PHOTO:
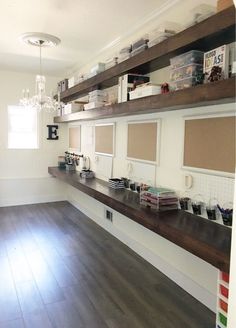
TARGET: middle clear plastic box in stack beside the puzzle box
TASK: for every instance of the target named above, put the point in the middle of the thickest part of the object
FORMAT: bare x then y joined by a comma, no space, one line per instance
186,72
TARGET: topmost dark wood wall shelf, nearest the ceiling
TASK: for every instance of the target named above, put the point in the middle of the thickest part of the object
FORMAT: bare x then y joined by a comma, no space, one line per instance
214,31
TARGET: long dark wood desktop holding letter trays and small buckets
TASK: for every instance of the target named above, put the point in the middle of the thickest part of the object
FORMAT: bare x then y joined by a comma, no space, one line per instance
201,237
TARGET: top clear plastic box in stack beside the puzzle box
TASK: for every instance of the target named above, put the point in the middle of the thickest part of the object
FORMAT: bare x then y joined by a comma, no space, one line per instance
188,58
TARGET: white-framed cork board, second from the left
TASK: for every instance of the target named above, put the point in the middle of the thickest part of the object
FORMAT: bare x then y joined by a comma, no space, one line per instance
104,136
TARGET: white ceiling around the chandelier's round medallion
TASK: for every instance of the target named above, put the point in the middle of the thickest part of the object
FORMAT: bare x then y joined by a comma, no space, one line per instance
84,27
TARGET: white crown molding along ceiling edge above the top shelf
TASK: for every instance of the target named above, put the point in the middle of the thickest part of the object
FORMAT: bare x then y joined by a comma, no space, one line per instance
146,20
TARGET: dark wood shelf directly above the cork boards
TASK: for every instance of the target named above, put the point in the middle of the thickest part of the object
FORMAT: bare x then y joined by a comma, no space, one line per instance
201,95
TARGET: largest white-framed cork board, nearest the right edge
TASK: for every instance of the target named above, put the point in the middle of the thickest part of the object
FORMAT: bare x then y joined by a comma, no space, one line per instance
209,143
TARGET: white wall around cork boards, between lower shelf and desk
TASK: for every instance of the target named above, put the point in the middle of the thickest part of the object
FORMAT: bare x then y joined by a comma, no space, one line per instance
168,172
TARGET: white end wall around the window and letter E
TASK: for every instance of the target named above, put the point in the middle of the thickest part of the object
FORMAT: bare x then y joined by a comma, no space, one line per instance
23,173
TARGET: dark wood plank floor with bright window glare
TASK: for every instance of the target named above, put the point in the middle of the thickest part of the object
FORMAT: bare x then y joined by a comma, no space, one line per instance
58,269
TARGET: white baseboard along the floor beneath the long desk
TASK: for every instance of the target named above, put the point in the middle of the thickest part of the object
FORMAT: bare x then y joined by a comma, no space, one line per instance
190,286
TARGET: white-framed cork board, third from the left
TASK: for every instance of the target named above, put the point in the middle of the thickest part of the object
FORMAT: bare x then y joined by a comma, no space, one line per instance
142,141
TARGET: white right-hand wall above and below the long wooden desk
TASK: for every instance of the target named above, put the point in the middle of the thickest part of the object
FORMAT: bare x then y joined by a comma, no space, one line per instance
191,273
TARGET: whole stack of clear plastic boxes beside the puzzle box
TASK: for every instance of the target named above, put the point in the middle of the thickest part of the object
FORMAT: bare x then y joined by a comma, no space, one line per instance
186,69
